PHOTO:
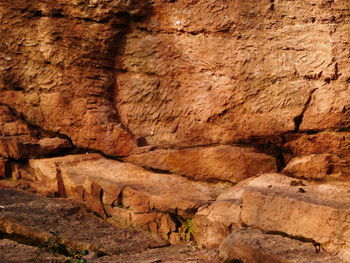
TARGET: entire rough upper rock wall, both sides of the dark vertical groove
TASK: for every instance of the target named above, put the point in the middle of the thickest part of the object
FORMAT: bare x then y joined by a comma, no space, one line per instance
113,74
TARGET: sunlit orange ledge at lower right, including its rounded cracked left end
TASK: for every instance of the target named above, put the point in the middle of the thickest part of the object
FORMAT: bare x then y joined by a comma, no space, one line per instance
276,203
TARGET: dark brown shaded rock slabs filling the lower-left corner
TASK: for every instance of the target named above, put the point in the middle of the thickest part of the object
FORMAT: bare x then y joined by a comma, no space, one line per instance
68,226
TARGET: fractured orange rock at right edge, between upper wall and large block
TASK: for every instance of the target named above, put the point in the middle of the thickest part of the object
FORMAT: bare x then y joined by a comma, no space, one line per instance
324,156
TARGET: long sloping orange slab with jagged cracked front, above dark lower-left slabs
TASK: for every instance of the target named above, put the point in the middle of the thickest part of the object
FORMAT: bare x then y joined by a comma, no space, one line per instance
162,203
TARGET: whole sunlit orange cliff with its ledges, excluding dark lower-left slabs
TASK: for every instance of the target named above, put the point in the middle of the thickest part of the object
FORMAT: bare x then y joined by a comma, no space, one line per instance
225,123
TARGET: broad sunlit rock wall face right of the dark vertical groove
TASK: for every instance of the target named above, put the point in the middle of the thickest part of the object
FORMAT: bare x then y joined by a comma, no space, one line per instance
204,72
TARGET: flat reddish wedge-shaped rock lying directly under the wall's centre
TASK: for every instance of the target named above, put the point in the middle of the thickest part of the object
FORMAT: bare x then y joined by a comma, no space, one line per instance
226,163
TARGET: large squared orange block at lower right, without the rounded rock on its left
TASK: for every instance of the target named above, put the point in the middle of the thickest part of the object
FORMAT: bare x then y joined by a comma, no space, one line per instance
315,211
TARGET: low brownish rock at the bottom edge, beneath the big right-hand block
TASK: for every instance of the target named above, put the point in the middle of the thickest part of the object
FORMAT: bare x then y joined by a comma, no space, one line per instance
253,246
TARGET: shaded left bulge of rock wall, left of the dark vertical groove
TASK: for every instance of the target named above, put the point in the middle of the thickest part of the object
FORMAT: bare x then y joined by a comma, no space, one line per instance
57,67
